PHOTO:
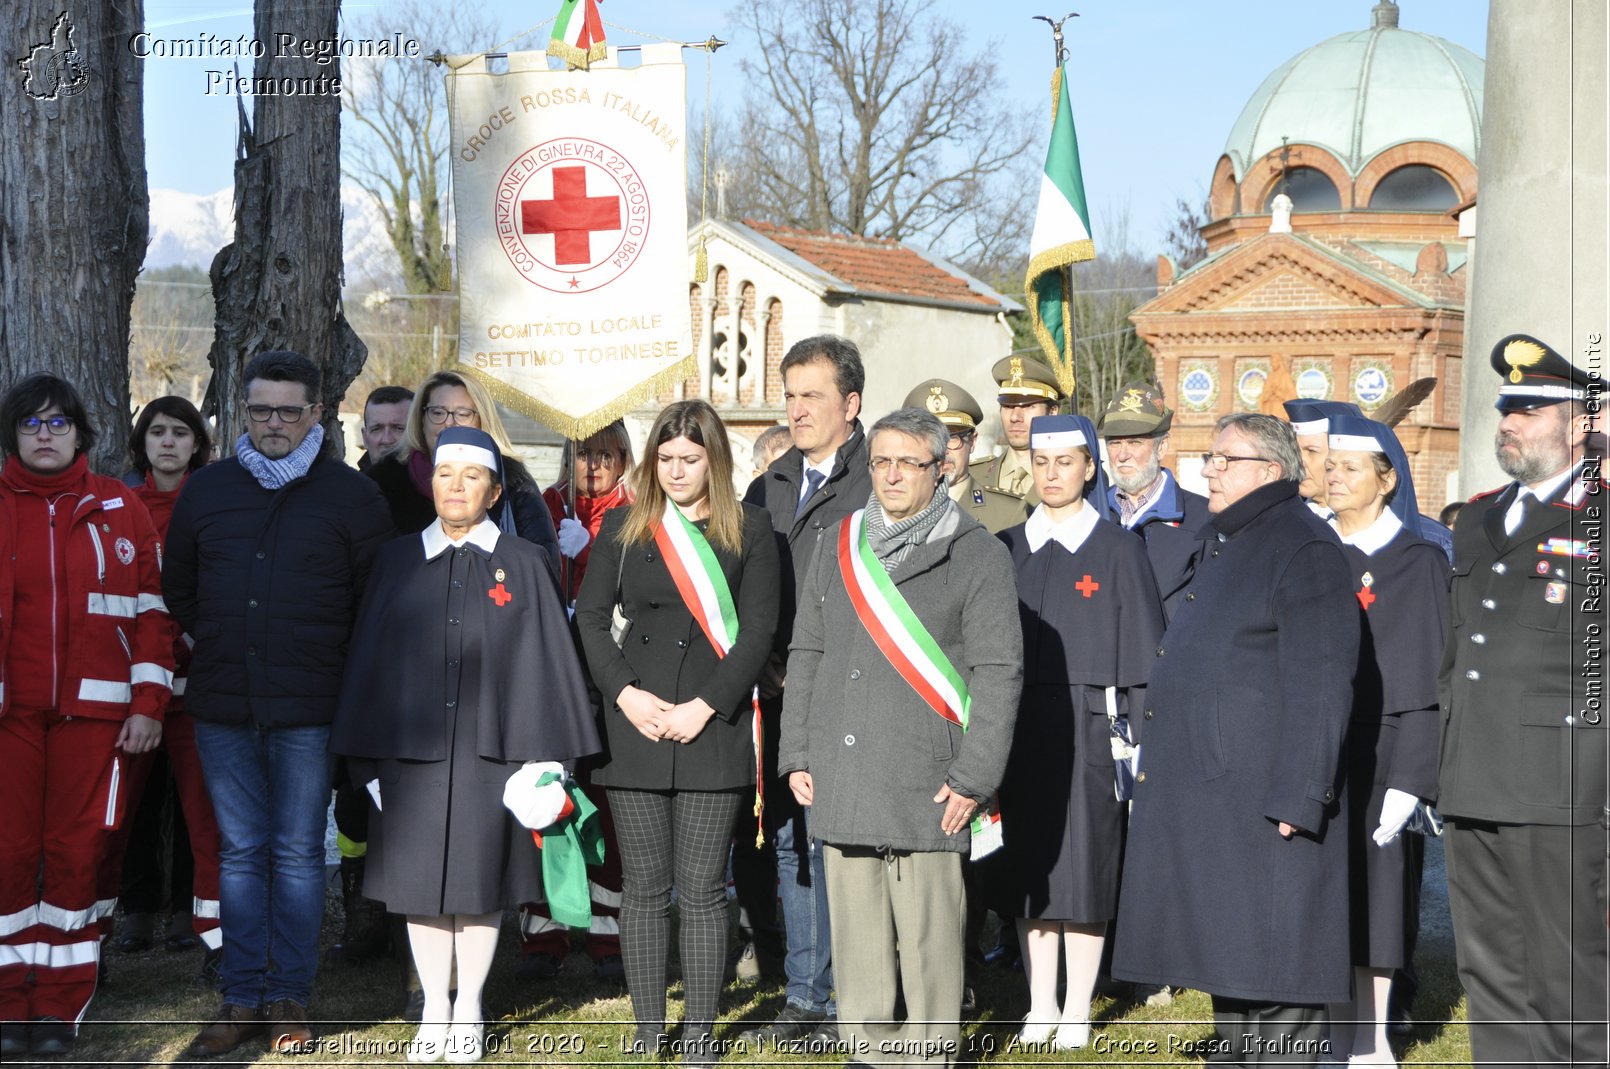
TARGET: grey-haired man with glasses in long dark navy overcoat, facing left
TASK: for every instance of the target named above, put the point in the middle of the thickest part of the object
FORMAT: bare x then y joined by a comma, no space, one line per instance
1236,878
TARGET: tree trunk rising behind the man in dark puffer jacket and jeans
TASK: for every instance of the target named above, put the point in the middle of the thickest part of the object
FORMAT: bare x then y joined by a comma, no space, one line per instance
279,284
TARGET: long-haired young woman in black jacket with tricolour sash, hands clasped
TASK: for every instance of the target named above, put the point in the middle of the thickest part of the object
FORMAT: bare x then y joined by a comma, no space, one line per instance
696,576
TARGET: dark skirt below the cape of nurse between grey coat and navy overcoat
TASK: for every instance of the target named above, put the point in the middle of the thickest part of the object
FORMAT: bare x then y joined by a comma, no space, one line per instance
1062,823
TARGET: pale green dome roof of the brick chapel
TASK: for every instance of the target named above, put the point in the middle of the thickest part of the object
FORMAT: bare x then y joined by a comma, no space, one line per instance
1358,94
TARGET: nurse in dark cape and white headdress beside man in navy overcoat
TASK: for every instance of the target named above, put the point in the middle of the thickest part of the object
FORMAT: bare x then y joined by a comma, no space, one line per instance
1091,622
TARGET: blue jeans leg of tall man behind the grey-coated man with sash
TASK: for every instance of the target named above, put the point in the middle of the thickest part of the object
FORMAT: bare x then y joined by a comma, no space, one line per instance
804,891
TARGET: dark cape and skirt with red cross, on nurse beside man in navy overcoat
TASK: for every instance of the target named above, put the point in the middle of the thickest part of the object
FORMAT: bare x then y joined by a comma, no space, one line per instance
1091,621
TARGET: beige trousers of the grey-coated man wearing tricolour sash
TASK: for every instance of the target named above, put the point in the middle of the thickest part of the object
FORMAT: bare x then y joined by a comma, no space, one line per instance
898,922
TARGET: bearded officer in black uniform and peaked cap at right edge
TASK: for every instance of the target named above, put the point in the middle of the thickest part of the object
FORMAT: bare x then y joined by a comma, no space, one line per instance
1524,733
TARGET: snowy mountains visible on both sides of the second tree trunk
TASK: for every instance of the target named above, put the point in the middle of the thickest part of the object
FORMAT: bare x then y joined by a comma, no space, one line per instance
189,229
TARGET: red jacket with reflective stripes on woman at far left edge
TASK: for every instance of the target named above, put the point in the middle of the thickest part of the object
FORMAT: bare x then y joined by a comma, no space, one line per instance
117,642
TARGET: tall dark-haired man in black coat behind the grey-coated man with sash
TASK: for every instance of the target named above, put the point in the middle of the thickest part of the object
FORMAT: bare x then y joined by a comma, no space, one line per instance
809,490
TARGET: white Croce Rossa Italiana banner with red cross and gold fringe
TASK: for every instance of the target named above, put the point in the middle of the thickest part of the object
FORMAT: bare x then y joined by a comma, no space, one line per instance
572,233
